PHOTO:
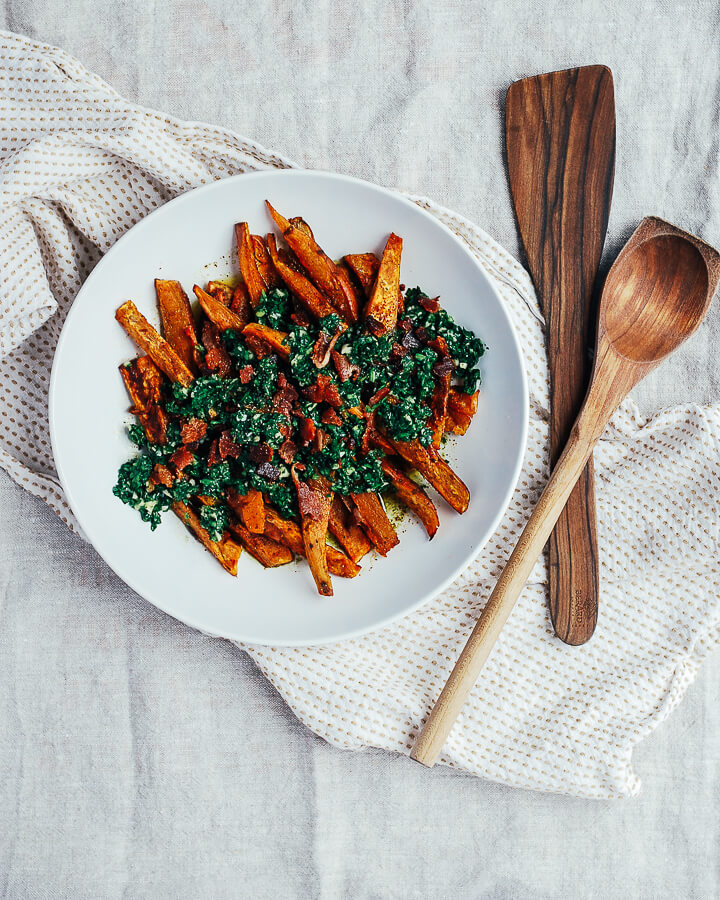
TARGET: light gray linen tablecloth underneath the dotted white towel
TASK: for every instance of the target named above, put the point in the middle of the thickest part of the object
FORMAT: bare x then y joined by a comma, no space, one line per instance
215,790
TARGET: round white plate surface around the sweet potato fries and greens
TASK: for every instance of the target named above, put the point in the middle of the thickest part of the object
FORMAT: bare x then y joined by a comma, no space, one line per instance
191,239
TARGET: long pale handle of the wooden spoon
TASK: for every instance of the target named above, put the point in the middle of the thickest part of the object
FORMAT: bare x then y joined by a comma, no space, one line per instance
517,571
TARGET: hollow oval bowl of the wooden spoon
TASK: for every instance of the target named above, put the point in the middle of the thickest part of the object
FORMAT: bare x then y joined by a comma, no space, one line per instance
655,297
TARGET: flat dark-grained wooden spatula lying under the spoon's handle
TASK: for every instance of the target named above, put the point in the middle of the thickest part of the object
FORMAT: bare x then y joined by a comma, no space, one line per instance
560,135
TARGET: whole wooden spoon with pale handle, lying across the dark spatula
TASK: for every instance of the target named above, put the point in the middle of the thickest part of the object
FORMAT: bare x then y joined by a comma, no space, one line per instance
655,296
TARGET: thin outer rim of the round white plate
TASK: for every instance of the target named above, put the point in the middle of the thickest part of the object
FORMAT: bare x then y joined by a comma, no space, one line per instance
512,484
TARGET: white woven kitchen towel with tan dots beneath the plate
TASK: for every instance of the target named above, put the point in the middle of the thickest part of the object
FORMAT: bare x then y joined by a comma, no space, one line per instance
78,166
